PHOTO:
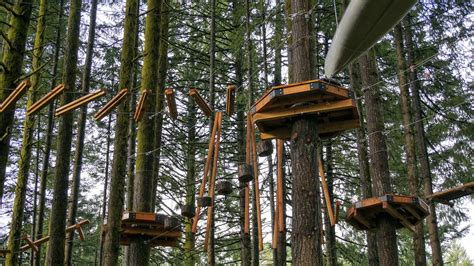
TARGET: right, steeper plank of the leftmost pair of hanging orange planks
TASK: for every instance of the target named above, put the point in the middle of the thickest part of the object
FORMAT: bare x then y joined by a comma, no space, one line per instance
212,181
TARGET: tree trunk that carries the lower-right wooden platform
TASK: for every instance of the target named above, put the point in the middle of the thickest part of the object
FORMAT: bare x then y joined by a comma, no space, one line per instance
386,234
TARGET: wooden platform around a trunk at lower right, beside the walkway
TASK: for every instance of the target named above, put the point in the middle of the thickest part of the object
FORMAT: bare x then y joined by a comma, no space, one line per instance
406,211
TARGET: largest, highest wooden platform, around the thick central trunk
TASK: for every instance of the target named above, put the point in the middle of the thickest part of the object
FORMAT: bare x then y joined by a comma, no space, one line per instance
332,106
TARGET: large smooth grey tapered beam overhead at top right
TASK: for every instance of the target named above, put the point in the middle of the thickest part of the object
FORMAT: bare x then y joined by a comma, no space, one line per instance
361,26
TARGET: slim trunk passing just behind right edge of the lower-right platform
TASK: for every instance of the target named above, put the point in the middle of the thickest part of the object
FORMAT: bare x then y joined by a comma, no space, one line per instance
418,235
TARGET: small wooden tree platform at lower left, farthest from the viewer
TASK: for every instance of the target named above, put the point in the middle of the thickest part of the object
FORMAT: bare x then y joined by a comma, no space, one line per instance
148,227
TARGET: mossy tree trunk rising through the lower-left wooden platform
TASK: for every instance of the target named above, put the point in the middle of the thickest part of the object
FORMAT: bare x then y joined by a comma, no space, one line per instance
143,185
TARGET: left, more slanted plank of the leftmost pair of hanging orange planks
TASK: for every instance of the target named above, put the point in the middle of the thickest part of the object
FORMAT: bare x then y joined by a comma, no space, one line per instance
202,189
